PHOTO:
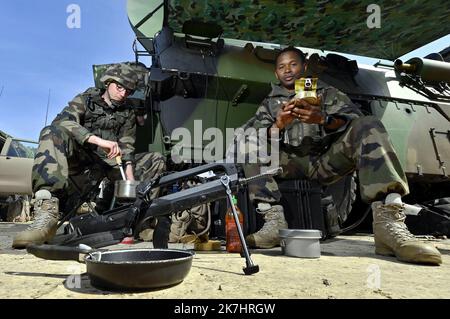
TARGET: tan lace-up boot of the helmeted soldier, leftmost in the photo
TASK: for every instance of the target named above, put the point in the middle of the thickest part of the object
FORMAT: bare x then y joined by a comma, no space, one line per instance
45,223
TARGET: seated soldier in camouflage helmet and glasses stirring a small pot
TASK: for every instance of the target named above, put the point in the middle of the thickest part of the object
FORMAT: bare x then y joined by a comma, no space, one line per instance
87,136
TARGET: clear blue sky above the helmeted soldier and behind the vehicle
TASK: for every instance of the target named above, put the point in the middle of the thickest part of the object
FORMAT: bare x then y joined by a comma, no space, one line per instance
39,52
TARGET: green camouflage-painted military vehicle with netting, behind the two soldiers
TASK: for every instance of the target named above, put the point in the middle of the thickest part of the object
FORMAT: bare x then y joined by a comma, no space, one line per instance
213,61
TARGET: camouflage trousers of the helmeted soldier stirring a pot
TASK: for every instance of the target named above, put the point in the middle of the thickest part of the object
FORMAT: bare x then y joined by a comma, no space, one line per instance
60,161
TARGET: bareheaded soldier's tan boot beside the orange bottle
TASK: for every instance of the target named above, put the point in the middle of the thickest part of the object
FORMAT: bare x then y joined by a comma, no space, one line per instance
267,236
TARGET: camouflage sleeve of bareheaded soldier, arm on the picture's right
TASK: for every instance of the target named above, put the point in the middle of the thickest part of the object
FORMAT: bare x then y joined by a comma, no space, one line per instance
338,104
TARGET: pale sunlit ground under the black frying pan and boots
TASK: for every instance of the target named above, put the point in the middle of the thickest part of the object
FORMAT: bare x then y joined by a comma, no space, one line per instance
347,268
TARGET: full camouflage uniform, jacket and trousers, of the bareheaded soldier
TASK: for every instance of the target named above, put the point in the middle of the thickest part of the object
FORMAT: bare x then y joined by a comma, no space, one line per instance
310,151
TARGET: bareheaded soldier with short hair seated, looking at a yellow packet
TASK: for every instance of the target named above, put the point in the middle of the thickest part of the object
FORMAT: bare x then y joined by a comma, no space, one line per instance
325,142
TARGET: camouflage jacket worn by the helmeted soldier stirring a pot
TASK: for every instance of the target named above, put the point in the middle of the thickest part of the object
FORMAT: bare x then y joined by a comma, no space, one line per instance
88,114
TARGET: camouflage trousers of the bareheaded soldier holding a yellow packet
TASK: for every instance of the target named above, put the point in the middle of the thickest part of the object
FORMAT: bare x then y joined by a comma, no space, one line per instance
363,147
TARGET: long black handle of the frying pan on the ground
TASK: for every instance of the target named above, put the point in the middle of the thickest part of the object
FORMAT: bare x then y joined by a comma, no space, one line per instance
56,252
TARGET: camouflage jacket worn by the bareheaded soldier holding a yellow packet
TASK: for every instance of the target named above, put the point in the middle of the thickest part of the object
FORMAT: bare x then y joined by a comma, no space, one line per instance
304,138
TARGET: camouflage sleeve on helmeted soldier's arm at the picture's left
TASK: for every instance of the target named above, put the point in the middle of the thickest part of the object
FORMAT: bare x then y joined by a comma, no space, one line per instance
71,118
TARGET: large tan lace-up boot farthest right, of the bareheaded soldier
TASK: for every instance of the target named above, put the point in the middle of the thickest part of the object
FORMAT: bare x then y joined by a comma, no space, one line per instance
392,237
